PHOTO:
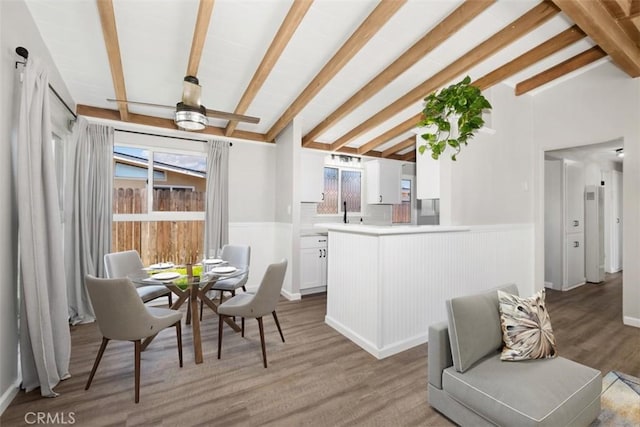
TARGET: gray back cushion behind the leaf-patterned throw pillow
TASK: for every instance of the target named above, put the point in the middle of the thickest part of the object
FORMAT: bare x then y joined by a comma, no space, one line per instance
474,326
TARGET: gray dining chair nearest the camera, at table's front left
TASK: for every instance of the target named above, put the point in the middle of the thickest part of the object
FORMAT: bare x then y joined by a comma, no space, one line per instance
121,315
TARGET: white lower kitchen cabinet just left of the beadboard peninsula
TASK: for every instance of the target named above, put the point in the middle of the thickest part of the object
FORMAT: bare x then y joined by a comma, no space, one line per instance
313,264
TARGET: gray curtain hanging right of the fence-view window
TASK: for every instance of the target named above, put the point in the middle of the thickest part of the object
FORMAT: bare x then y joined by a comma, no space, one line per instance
216,224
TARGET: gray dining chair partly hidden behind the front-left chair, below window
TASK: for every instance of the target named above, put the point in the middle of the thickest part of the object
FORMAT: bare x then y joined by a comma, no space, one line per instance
120,264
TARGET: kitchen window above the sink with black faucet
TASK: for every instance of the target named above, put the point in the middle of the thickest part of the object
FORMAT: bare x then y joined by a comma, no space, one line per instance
341,185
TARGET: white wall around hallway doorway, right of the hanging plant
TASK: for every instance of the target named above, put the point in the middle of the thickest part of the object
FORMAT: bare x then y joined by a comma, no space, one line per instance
500,178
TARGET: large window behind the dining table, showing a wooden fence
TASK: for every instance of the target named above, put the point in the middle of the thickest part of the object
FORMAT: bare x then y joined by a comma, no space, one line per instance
158,203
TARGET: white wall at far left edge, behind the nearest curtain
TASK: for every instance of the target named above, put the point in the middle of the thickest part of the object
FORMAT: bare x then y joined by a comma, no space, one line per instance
17,28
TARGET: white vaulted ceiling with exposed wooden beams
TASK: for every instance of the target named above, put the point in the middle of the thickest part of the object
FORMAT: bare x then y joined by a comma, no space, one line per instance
354,71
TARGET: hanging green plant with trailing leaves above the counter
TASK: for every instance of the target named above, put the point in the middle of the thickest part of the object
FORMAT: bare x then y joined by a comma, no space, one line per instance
452,117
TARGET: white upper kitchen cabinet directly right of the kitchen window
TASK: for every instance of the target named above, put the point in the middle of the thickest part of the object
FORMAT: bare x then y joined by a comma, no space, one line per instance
384,184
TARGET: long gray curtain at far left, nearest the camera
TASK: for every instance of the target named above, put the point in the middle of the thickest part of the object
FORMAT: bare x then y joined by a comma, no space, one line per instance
45,342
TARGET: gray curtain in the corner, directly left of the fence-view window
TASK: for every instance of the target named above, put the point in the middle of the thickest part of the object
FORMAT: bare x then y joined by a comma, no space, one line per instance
89,213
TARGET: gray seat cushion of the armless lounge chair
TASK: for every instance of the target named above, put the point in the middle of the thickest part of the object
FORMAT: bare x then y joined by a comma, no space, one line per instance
545,392
